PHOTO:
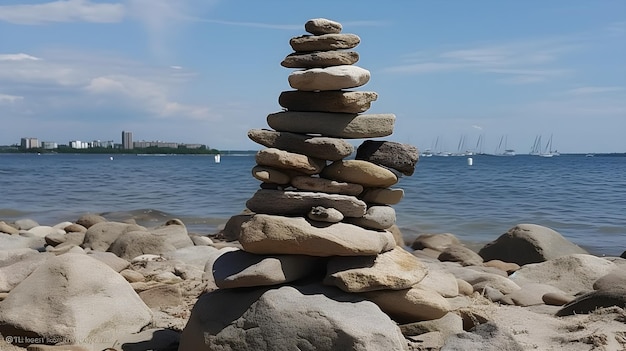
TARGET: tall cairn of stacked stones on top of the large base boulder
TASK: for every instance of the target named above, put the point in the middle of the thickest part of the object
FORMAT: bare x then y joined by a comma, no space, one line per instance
319,215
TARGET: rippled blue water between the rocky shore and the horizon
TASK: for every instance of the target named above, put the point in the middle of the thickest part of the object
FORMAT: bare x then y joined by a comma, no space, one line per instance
583,198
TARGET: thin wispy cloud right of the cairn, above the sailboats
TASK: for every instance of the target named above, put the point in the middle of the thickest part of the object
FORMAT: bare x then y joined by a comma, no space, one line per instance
519,63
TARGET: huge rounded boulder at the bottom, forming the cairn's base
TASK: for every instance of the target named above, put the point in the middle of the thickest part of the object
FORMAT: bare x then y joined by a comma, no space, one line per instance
288,318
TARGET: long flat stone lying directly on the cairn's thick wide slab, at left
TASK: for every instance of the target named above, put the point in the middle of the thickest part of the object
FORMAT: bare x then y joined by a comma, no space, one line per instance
299,203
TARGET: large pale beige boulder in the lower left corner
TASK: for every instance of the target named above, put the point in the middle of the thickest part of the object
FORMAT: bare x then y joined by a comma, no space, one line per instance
73,298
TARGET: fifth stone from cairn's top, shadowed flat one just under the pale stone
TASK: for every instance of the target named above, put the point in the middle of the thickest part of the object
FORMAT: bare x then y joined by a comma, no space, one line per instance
327,101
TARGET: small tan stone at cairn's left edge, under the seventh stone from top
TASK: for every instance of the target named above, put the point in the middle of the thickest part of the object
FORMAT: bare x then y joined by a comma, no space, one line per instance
288,160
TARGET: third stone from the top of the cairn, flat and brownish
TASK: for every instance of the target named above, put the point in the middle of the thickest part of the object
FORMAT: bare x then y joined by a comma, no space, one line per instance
320,59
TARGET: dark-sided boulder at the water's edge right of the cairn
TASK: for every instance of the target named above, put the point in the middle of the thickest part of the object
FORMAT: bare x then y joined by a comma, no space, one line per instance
529,243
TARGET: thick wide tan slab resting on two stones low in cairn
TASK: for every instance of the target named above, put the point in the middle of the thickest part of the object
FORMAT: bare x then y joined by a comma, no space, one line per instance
266,234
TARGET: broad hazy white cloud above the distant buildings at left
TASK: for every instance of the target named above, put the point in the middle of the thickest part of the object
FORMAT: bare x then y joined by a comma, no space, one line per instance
151,90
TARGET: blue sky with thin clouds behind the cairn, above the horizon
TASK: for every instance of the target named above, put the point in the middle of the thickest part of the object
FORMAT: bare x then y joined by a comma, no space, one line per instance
207,71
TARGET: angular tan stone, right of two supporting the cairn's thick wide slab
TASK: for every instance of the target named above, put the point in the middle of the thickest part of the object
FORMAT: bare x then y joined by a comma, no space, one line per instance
396,270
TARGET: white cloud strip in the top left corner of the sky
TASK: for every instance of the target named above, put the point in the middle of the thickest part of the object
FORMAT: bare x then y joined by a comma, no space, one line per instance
62,11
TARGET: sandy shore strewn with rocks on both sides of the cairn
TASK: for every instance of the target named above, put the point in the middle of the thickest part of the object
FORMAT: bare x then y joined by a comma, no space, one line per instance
571,301
